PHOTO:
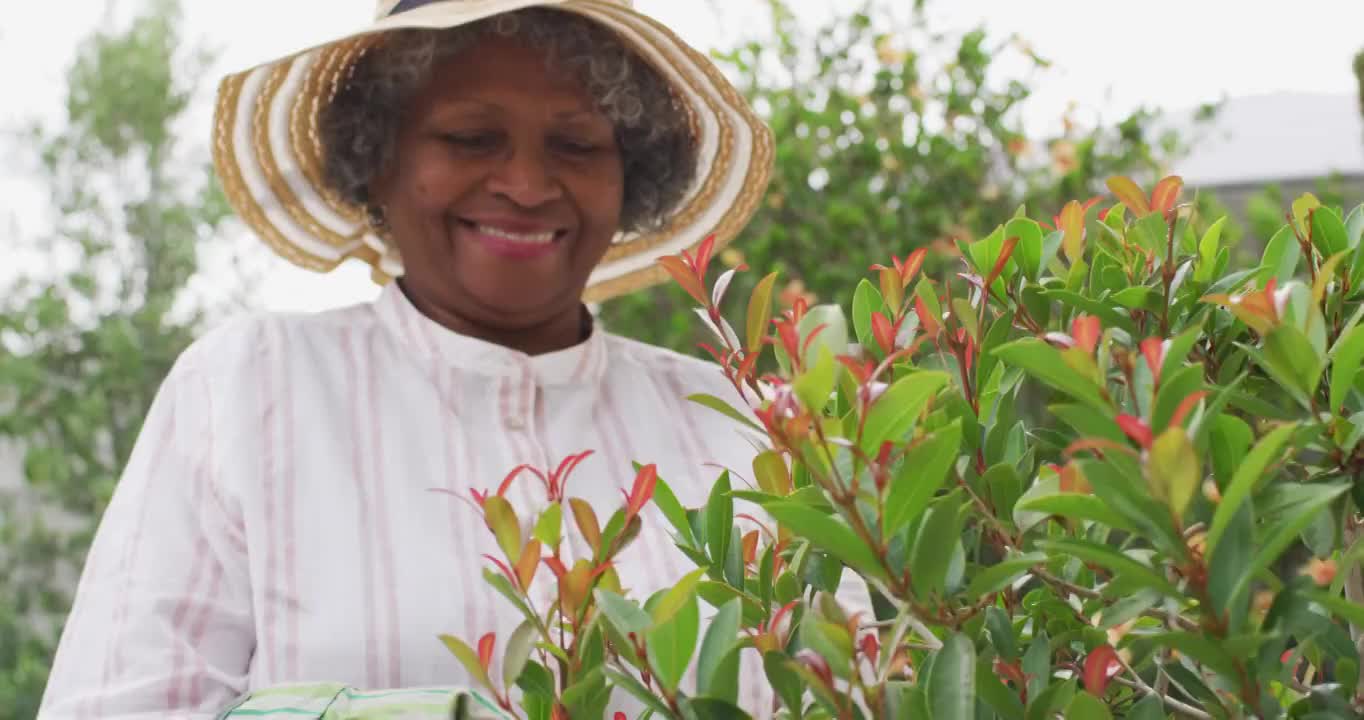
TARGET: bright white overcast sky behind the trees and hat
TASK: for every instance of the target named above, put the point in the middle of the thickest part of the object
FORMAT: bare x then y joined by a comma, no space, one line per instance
1110,57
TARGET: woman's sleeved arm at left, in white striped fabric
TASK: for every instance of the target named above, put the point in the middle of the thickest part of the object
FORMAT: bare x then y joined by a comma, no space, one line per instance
162,622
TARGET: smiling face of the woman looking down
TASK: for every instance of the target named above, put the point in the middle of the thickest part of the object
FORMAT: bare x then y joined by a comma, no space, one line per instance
505,190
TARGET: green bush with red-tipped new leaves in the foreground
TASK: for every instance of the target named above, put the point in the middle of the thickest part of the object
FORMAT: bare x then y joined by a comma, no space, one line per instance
1097,472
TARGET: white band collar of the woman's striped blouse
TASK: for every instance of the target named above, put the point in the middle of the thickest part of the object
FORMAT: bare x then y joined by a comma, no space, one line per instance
424,337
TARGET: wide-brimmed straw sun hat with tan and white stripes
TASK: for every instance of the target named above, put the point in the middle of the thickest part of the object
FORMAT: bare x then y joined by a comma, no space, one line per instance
269,155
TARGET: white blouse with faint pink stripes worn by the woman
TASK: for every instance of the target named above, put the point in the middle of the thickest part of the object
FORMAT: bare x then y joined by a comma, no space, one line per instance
276,522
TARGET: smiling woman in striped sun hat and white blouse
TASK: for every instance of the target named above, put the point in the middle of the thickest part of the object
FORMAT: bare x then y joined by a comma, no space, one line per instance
505,162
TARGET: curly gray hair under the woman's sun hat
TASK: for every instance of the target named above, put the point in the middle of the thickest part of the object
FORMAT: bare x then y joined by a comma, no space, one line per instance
658,148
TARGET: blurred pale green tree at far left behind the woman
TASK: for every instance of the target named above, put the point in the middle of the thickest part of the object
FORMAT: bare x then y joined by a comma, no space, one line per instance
93,317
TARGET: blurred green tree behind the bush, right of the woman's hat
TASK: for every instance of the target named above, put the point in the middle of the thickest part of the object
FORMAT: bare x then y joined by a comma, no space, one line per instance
894,137
